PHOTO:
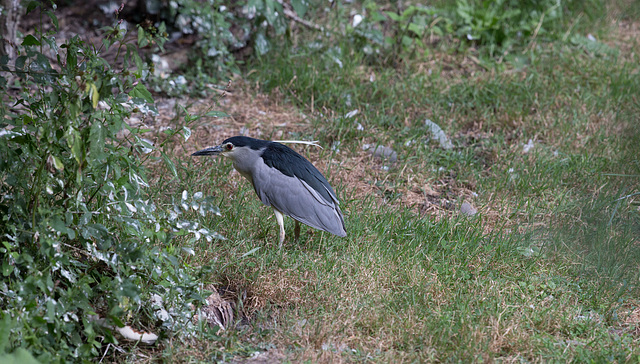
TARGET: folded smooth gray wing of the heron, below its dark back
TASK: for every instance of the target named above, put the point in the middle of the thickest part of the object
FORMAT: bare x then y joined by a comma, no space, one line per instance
295,198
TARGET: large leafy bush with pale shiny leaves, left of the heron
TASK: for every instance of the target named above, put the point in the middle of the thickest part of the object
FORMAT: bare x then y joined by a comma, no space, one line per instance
80,237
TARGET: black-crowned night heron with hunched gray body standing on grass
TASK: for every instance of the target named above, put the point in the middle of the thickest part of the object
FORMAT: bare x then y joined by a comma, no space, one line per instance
286,181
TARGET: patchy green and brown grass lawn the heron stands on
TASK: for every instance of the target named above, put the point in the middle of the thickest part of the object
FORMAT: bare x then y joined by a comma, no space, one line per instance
547,271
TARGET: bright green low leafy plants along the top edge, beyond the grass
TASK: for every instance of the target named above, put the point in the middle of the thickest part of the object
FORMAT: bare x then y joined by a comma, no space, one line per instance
496,26
